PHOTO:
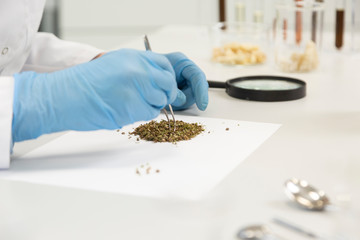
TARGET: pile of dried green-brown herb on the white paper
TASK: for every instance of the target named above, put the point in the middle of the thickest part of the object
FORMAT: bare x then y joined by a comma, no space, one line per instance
160,131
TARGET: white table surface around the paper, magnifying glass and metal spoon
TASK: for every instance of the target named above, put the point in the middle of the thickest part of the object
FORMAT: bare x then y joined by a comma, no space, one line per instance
319,141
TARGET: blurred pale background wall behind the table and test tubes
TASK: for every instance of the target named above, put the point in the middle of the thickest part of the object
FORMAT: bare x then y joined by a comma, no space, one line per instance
108,23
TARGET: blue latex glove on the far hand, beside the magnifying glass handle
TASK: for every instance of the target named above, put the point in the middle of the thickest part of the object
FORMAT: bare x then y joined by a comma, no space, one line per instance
190,80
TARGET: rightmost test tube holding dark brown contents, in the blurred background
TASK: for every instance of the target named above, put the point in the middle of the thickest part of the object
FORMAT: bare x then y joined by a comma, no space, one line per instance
339,23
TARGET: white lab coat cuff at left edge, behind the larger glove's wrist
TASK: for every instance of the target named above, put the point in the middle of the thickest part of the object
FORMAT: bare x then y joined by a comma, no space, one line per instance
6,112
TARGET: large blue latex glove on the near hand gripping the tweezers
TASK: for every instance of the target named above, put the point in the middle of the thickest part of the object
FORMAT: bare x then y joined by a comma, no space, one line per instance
110,92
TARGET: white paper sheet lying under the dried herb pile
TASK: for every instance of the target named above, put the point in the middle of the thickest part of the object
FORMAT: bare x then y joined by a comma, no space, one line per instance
108,160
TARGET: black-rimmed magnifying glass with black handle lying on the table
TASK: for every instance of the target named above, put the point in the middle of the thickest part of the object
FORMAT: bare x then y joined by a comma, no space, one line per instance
263,88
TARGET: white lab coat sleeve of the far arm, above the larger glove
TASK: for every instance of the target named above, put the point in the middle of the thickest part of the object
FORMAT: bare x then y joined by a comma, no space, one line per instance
49,53
